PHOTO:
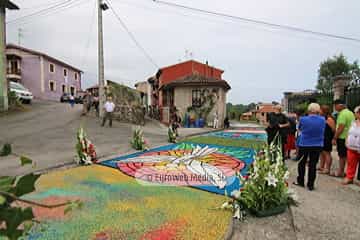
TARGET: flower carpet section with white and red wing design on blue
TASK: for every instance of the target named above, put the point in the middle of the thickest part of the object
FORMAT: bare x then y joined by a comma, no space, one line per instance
208,167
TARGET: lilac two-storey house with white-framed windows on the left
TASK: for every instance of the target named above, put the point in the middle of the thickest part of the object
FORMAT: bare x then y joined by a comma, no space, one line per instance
45,76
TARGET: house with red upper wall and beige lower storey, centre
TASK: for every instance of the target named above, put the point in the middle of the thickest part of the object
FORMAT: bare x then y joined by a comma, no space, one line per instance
191,88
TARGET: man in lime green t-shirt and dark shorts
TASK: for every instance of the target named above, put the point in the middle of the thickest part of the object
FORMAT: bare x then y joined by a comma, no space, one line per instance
343,124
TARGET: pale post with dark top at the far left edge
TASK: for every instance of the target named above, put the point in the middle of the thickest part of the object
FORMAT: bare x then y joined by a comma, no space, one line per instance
4,104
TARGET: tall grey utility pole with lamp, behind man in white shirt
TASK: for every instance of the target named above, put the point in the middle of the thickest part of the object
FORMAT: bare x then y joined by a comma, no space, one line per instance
101,7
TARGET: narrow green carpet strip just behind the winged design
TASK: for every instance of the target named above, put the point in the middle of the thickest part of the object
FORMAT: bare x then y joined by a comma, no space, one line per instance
254,144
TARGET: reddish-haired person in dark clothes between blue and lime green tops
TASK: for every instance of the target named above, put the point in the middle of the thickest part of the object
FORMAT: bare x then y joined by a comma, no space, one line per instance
325,156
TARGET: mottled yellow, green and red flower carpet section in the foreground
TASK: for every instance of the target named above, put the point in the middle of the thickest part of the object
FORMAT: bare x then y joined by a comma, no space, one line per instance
118,207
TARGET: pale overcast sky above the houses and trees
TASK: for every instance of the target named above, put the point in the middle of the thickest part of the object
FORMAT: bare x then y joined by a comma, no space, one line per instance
260,63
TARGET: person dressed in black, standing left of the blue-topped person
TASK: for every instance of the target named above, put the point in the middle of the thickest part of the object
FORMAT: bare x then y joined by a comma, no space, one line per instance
278,124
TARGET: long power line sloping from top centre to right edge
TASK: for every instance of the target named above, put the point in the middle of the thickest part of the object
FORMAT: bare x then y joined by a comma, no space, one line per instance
259,22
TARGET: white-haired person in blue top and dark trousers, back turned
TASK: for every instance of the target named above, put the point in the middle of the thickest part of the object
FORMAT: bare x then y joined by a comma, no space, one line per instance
311,142
